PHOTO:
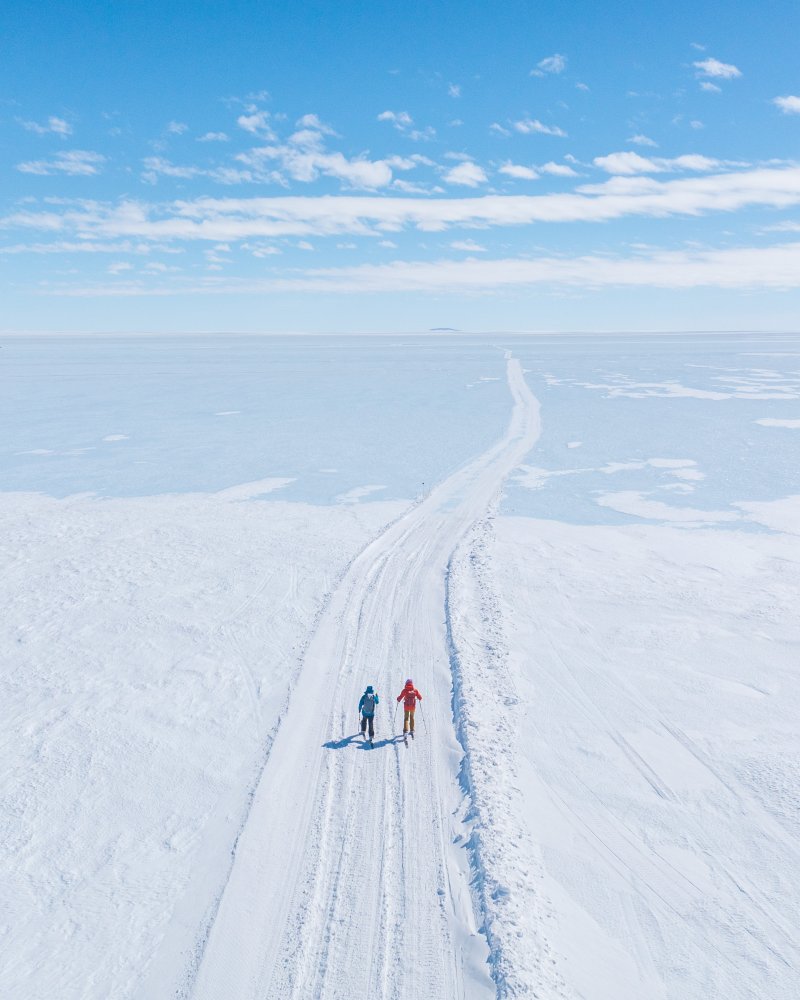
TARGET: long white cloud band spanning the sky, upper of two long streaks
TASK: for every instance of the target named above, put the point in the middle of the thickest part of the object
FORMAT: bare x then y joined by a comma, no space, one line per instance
268,218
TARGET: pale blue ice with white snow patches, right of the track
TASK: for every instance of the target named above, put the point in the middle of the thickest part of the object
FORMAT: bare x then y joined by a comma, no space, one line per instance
638,406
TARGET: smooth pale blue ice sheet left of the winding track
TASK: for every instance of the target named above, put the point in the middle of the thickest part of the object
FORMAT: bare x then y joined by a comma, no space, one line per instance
144,416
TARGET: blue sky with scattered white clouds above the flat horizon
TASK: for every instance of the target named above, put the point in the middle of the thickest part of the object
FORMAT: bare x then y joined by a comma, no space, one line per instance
399,166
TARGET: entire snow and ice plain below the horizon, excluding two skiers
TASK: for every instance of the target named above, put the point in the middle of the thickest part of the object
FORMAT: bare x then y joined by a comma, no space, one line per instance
585,551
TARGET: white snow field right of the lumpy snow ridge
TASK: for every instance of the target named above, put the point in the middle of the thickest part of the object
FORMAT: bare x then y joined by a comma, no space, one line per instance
657,745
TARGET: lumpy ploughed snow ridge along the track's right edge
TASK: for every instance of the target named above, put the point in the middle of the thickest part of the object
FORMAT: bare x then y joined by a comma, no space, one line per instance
486,712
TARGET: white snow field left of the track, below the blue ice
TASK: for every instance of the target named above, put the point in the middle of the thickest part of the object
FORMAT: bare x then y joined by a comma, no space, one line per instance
148,647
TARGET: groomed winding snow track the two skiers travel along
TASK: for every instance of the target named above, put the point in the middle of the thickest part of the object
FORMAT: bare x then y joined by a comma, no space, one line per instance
344,879
